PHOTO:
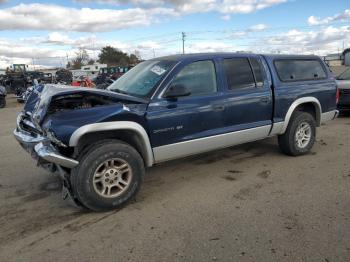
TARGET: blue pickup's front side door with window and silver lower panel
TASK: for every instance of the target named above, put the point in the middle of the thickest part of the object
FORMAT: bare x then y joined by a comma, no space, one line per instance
175,122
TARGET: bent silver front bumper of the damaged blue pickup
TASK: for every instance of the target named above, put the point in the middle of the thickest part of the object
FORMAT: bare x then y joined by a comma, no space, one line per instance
41,148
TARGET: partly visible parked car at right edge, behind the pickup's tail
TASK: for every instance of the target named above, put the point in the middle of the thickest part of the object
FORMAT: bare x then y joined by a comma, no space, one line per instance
343,81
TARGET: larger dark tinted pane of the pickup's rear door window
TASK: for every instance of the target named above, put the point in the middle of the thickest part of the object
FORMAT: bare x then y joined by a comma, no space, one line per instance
238,73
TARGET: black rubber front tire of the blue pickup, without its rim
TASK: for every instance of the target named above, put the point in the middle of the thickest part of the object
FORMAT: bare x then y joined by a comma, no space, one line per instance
82,175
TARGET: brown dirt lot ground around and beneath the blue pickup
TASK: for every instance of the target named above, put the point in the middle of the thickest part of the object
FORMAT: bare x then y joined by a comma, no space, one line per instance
247,203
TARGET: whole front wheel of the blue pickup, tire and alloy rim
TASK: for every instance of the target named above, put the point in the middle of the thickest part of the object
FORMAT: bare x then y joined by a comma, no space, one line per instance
108,176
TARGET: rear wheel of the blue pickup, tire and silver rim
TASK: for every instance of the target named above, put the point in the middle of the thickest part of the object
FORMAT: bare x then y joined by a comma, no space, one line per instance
300,135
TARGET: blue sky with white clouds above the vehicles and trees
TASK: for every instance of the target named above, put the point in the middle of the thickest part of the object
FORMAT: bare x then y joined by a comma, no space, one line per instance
48,33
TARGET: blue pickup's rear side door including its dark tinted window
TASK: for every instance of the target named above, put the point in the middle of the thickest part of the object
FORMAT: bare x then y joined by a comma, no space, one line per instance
249,102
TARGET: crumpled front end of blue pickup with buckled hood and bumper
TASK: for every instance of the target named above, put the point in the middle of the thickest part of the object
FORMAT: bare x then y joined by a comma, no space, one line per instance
51,115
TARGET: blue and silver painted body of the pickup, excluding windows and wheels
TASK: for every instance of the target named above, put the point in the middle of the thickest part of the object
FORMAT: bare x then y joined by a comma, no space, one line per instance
189,125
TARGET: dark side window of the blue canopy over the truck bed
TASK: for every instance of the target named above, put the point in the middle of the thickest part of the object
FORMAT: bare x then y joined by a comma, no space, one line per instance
299,70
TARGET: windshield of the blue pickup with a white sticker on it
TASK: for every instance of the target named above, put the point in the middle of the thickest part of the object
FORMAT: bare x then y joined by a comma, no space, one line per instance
142,79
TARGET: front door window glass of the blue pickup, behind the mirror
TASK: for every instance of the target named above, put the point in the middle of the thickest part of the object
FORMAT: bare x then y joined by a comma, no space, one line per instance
198,77
